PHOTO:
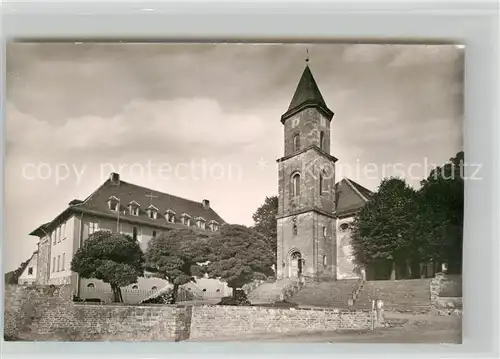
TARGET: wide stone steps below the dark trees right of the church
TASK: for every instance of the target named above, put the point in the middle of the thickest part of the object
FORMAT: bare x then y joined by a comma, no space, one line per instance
412,295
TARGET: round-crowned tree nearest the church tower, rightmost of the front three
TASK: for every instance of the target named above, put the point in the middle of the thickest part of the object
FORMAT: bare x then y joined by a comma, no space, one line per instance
239,255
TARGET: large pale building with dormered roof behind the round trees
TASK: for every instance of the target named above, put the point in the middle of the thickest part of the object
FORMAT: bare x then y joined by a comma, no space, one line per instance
123,207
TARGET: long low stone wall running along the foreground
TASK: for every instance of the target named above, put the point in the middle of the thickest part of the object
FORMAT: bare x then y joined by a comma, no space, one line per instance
48,313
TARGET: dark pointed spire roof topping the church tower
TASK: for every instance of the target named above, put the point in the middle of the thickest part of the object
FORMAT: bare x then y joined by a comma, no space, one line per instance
307,94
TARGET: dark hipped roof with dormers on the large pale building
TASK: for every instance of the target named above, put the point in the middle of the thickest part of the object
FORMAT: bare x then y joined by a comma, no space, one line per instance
97,205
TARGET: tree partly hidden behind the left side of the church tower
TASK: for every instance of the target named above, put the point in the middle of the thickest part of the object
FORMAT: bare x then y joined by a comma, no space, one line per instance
265,221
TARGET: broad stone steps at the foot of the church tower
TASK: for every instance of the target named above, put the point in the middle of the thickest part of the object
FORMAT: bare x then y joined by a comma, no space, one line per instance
333,294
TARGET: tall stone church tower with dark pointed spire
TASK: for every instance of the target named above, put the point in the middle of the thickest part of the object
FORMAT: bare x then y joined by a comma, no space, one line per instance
306,190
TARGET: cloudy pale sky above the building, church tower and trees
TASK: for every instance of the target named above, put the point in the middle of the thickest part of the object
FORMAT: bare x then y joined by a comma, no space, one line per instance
202,121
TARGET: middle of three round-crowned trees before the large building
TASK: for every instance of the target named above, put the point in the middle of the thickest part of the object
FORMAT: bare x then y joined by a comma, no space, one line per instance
174,256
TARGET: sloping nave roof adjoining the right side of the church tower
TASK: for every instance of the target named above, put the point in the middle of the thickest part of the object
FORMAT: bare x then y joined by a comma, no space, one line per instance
351,197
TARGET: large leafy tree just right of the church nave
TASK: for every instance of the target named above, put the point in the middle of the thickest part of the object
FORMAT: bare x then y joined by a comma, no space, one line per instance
383,231
